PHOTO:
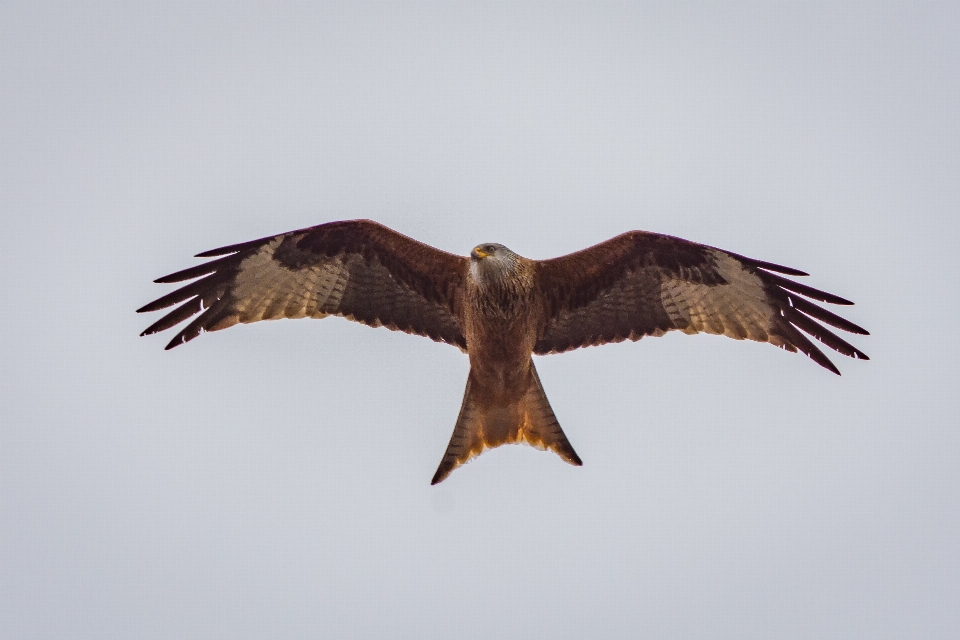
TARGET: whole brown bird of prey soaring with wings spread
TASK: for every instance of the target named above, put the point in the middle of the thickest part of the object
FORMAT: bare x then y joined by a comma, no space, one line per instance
501,308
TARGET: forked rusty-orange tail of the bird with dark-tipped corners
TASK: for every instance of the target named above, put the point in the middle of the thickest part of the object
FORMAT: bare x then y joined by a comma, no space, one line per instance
480,427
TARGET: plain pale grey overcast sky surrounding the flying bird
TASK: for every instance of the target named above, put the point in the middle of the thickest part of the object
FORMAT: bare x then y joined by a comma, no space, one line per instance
272,480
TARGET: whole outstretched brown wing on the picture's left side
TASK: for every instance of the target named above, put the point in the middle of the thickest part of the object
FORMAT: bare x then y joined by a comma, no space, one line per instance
357,269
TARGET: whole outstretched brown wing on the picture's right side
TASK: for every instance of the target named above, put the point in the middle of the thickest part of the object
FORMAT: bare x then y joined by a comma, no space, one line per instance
645,284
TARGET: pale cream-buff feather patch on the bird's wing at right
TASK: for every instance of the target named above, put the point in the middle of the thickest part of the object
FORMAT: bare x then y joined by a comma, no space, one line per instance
738,309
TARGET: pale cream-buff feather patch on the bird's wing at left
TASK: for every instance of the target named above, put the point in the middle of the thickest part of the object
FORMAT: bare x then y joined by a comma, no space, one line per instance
266,290
